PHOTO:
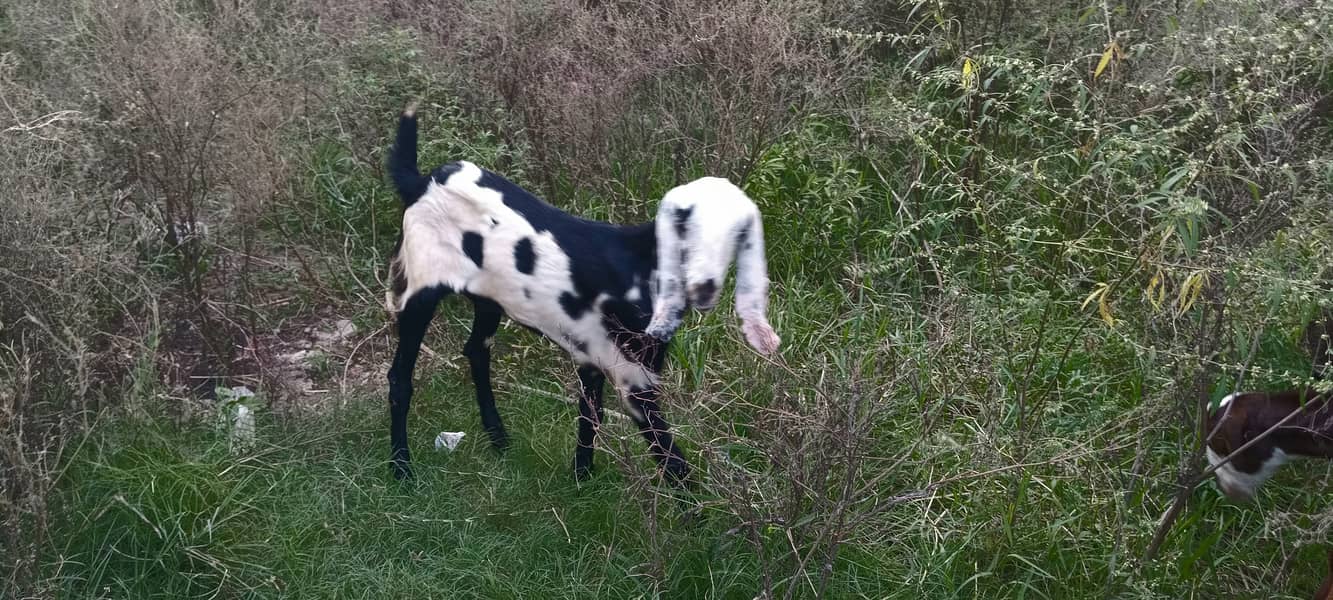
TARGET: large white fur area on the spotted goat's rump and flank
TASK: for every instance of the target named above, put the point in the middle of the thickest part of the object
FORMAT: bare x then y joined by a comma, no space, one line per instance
433,255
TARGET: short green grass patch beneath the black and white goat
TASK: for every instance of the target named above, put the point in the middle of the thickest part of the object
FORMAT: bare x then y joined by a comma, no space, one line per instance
159,511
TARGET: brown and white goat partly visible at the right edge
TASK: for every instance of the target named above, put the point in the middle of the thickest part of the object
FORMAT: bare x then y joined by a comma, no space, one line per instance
1246,417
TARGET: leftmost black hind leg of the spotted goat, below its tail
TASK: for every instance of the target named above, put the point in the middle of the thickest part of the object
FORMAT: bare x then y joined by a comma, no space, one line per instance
413,325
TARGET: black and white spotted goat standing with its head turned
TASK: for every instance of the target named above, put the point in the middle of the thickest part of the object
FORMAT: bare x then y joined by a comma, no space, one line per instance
590,287
